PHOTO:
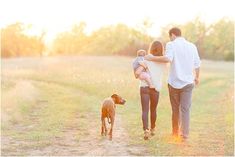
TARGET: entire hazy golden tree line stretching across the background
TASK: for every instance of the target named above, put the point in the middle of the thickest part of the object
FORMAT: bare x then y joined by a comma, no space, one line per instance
215,41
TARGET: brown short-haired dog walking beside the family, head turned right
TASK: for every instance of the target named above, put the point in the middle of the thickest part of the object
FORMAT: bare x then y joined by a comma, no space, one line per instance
108,111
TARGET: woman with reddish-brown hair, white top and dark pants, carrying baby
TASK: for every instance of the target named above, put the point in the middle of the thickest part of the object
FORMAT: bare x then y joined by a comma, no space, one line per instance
150,96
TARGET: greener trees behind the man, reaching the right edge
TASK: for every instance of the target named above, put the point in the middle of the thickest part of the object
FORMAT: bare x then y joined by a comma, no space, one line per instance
215,41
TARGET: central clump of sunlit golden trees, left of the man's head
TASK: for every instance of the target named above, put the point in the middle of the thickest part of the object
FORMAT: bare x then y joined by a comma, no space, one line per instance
113,39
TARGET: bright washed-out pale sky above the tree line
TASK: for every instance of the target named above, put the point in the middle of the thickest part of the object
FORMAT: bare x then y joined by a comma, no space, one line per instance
56,16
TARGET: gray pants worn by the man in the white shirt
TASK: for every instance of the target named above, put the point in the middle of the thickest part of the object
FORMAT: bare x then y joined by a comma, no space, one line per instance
181,100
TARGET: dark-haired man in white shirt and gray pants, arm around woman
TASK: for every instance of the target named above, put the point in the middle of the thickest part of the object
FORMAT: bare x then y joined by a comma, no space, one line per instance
184,60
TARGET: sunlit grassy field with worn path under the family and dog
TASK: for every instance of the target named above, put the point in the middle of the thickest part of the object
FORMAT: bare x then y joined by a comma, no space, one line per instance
51,106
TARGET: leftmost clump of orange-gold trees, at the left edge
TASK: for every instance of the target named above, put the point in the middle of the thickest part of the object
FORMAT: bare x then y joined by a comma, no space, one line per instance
15,43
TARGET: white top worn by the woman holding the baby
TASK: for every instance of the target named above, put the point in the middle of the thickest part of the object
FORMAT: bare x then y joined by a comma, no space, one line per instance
156,71
